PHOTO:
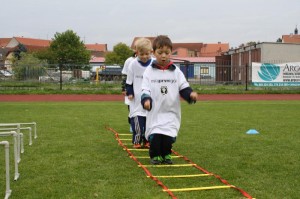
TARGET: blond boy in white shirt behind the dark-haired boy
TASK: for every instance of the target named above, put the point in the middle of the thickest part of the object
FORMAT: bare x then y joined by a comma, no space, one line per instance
133,91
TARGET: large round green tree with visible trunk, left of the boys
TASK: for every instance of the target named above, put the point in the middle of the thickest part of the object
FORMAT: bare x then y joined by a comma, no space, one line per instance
68,52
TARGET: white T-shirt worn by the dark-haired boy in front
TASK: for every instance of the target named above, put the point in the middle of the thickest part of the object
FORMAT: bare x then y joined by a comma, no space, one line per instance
163,87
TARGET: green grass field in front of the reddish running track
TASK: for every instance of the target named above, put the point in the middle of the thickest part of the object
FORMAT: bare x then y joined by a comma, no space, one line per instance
74,155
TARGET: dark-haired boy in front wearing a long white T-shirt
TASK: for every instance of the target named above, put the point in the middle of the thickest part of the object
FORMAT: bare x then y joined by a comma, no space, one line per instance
163,85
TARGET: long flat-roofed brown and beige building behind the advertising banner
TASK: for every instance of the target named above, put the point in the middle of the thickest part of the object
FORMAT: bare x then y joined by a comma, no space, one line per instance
235,65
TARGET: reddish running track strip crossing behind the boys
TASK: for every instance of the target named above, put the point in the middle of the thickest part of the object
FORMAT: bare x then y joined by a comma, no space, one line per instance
204,97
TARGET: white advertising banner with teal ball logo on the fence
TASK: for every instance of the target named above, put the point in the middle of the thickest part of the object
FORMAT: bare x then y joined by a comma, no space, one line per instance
285,74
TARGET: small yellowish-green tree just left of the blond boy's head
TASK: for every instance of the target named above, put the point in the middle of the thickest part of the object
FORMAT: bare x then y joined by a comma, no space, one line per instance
119,54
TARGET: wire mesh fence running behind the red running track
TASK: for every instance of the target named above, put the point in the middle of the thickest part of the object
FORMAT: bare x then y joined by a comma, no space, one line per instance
42,78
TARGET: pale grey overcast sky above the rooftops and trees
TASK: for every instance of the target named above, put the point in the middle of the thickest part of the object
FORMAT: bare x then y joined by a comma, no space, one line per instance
113,21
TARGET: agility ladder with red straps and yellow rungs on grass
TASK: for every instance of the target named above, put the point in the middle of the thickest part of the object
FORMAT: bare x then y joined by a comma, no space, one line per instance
177,155
